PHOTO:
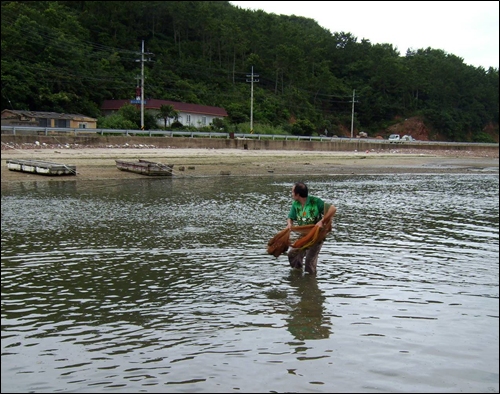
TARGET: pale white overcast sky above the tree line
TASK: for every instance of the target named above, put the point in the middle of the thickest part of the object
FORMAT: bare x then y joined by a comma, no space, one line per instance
467,29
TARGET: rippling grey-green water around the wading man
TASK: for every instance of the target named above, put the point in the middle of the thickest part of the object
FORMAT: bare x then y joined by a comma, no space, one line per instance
164,285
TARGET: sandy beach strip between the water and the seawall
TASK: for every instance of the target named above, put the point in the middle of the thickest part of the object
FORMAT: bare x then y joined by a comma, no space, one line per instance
99,163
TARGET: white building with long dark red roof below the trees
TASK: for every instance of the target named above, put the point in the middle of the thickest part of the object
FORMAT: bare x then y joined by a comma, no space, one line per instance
189,114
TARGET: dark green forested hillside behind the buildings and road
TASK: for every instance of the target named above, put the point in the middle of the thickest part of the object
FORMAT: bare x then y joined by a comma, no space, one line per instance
69,56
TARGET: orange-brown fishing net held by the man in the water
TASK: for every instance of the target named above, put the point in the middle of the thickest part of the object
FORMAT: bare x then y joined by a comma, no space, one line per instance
279,244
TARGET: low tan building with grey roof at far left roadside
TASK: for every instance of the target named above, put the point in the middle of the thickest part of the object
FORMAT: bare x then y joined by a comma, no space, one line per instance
12,117
